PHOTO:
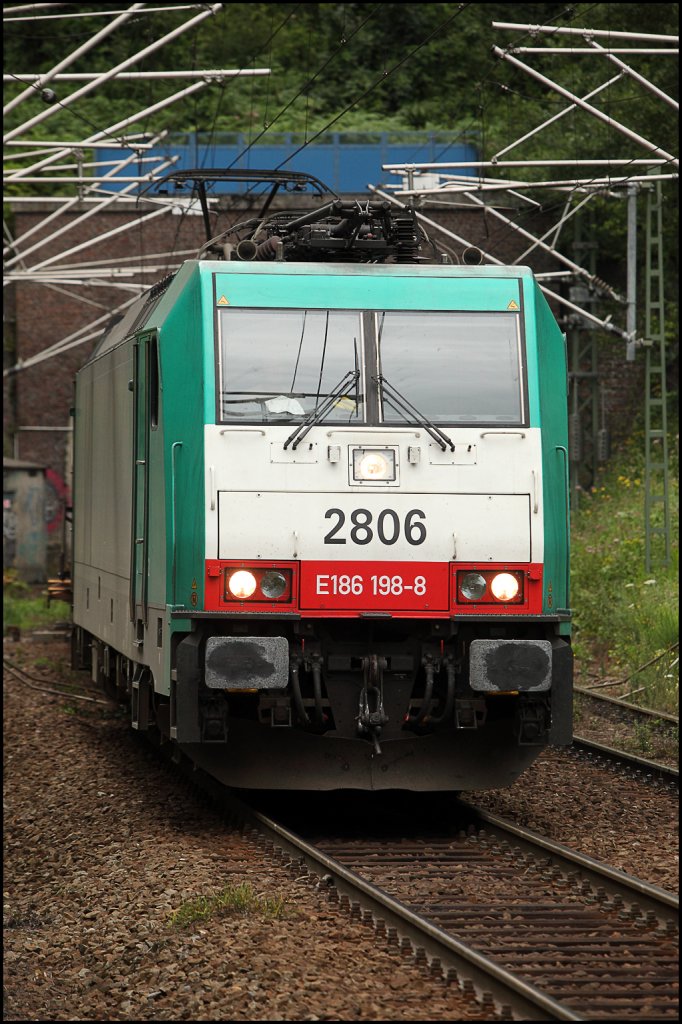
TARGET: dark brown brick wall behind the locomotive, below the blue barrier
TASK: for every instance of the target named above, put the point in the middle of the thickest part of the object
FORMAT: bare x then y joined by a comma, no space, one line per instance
37,316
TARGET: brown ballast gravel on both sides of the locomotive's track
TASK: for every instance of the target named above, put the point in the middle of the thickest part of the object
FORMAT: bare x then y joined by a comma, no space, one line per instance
103,844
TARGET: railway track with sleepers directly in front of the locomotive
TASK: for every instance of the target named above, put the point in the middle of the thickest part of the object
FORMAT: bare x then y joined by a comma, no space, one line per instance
535,930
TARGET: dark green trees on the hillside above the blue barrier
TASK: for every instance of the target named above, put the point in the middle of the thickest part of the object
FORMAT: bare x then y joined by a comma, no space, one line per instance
401,66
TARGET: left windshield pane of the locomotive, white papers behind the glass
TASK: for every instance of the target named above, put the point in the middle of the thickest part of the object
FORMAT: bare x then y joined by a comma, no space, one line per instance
279,366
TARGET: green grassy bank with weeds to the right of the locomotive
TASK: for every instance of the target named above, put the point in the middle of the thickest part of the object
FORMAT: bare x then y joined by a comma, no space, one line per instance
627,620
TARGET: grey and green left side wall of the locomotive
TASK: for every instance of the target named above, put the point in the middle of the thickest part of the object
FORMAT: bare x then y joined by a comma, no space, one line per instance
140,406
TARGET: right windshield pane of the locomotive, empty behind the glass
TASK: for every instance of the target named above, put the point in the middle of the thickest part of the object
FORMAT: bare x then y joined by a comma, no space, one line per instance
453,367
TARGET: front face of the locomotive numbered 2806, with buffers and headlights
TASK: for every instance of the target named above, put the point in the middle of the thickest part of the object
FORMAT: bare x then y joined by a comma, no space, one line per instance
383,596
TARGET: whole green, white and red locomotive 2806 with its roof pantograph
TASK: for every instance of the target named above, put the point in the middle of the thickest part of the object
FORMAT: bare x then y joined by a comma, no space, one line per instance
321,506
